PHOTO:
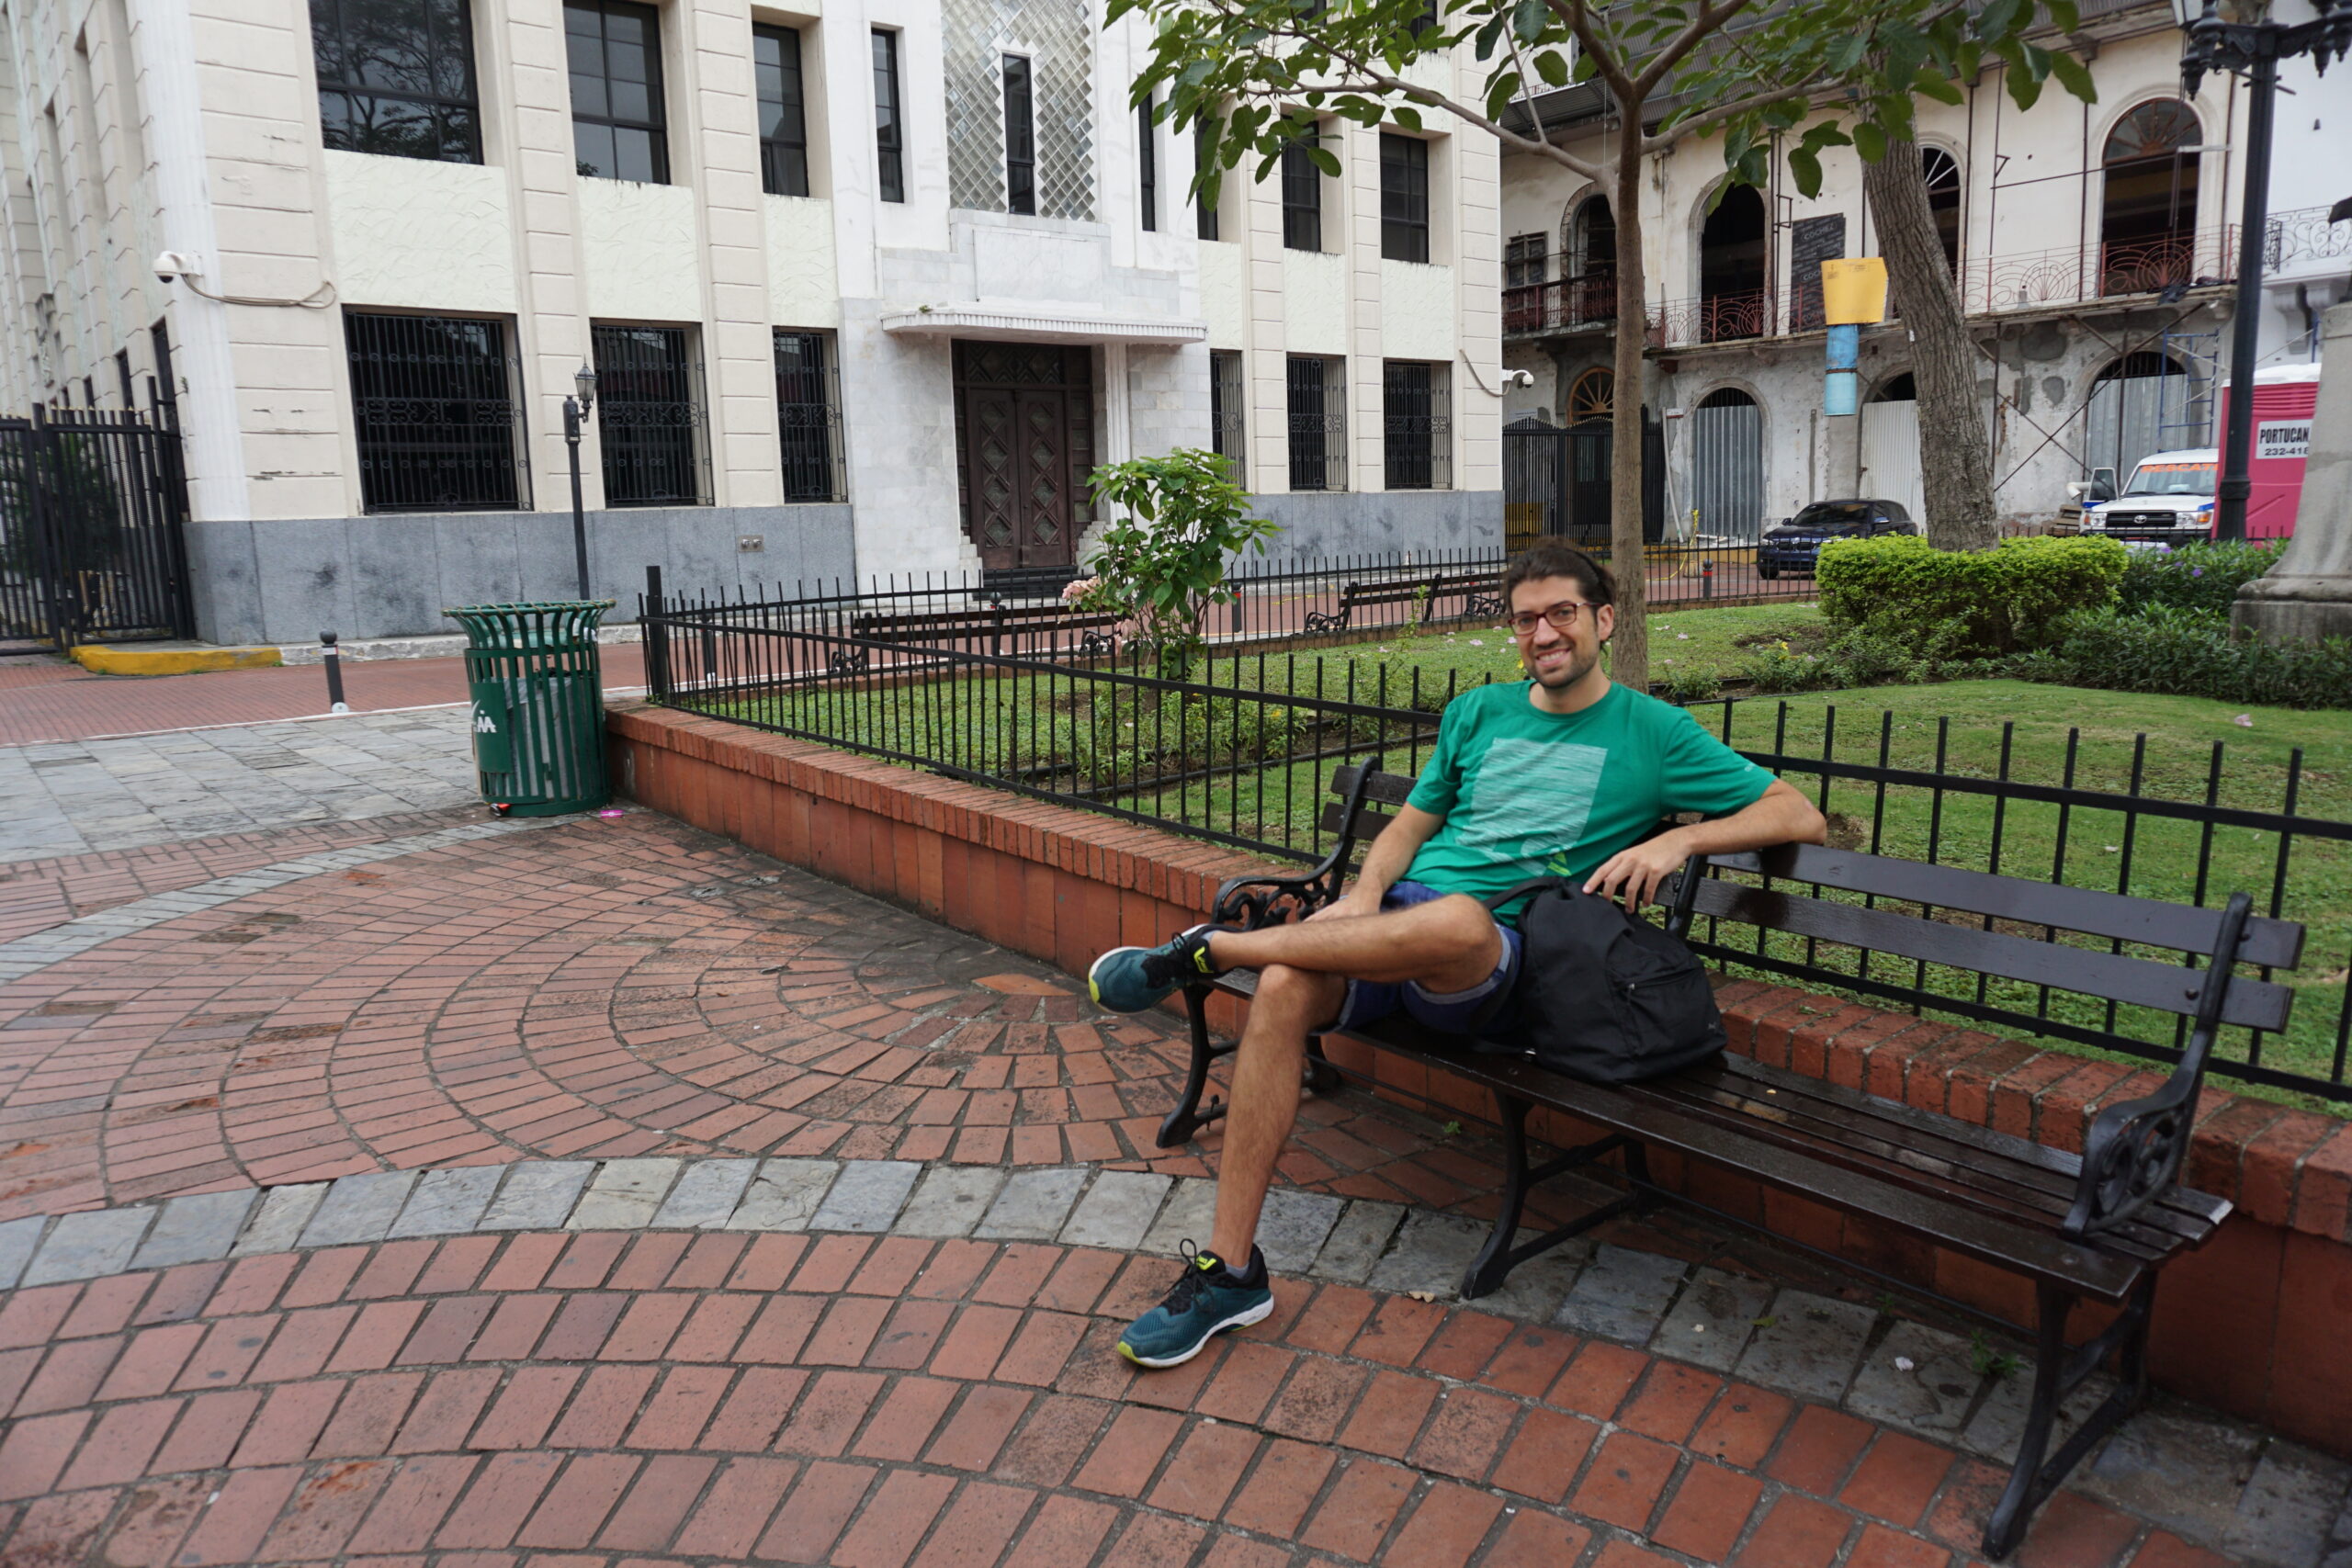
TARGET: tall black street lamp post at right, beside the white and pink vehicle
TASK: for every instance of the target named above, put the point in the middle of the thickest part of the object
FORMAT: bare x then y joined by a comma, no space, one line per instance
2254,46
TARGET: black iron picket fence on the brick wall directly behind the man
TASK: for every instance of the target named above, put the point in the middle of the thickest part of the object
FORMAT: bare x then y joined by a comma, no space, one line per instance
1241,753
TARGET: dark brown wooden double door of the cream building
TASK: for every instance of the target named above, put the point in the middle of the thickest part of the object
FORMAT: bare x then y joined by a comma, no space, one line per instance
1024,417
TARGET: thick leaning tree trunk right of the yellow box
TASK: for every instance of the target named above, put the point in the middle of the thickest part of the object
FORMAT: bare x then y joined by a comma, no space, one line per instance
1956,455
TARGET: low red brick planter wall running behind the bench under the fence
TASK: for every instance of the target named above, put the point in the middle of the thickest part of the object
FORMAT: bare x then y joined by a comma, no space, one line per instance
2259,1322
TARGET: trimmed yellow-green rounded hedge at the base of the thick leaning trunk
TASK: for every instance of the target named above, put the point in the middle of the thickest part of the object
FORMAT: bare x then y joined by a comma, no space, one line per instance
1965,603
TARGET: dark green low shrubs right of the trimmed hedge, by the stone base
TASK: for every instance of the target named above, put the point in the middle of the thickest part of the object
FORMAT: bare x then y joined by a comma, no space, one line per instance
2191,652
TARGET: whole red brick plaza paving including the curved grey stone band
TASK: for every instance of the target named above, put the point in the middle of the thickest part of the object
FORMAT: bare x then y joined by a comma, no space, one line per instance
636,1200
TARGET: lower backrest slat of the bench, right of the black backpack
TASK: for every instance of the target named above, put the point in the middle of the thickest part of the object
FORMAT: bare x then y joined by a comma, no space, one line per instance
2014,958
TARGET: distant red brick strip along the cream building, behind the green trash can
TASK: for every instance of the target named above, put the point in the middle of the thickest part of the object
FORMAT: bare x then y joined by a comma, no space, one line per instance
51,704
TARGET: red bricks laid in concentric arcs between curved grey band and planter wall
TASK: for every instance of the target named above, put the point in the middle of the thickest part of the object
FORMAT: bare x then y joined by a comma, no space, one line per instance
592,991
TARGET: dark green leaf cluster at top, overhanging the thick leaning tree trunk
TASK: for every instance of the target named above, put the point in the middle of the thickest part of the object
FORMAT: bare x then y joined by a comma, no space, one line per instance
1885,55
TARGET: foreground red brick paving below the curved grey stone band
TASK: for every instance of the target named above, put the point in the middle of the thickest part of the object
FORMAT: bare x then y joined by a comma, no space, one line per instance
570,1400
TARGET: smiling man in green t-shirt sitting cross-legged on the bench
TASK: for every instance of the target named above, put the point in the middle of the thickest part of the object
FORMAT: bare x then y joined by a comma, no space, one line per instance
1561,775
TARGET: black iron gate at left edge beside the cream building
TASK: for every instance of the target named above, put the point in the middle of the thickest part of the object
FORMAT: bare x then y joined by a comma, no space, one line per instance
91,528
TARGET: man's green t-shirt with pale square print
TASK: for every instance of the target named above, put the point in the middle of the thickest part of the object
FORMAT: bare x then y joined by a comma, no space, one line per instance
1532,793
